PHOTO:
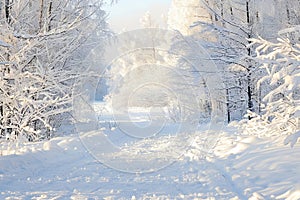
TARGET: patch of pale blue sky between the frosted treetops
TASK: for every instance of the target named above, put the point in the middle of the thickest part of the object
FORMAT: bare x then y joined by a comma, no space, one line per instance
126,14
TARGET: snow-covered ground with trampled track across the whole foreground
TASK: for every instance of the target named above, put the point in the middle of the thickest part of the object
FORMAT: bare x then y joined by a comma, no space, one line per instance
238,167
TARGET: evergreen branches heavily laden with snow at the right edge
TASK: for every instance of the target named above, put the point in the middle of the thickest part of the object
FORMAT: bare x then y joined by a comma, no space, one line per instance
281,113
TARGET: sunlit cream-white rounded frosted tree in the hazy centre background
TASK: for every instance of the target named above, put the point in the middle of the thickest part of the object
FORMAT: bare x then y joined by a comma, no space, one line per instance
141,77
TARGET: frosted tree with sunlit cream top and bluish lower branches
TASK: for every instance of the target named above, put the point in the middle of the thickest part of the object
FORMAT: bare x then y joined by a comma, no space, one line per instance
182,17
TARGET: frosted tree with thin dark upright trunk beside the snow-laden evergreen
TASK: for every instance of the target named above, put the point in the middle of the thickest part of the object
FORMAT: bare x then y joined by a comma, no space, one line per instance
233,23
